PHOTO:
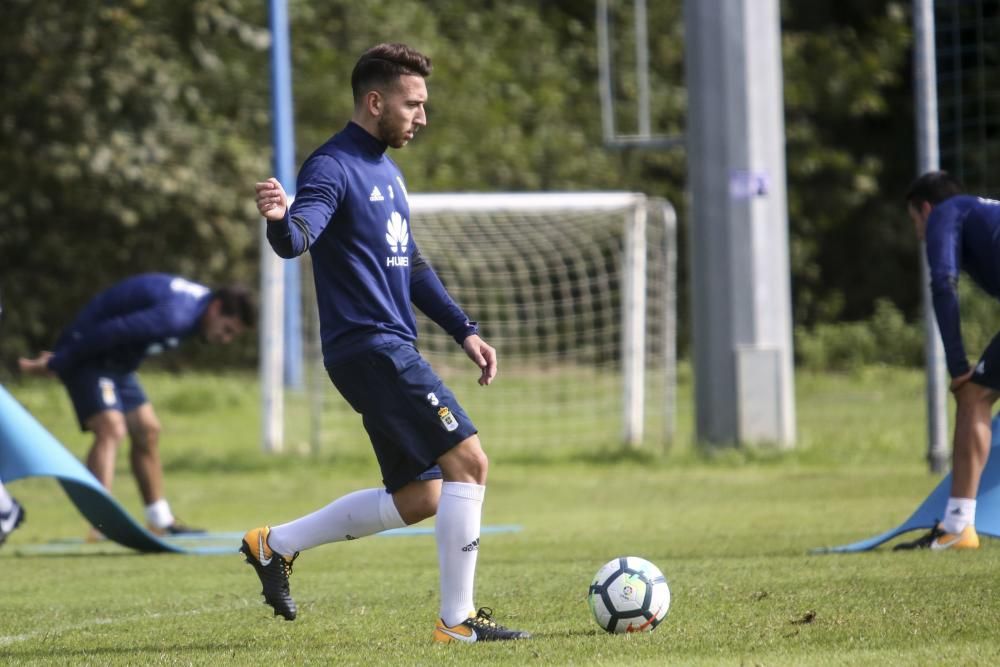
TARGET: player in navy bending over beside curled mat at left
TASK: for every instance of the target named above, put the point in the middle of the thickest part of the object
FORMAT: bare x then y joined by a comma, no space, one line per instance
97,357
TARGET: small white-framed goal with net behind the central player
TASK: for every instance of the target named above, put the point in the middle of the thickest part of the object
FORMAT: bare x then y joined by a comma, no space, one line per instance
577,293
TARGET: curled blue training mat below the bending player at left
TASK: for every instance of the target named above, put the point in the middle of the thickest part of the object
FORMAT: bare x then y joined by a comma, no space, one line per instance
28,450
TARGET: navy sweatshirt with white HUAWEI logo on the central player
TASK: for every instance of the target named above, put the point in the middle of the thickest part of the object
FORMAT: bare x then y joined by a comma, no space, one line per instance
351,213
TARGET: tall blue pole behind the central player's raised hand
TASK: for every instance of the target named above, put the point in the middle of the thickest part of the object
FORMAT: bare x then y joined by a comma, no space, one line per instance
283,124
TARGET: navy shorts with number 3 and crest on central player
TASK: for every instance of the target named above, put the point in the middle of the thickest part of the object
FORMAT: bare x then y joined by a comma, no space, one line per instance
411,417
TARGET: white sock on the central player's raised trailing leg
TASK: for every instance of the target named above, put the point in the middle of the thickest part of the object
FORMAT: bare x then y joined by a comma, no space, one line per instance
349,517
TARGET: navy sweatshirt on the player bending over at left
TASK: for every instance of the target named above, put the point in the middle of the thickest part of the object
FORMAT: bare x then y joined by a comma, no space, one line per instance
138,316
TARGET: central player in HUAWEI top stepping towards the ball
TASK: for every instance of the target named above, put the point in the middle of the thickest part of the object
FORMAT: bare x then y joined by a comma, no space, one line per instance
351,213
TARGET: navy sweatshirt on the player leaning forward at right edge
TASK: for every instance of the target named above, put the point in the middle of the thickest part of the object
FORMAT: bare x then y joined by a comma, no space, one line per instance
963,233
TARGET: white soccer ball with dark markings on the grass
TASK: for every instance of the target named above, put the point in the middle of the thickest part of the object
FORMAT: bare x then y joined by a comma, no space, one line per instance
629,594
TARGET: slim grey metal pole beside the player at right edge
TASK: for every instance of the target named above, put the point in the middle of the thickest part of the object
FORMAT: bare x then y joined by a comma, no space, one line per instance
928,157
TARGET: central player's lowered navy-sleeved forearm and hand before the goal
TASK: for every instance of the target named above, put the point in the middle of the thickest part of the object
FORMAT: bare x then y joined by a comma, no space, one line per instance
432,299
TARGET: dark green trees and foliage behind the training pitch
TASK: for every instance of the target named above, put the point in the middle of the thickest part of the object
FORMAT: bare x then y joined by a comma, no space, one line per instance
132,131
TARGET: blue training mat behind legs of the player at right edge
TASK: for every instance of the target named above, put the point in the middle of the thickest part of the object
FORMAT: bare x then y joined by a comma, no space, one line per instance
932,509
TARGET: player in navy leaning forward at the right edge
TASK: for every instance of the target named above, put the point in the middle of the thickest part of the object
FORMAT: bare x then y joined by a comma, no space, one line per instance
962,232
